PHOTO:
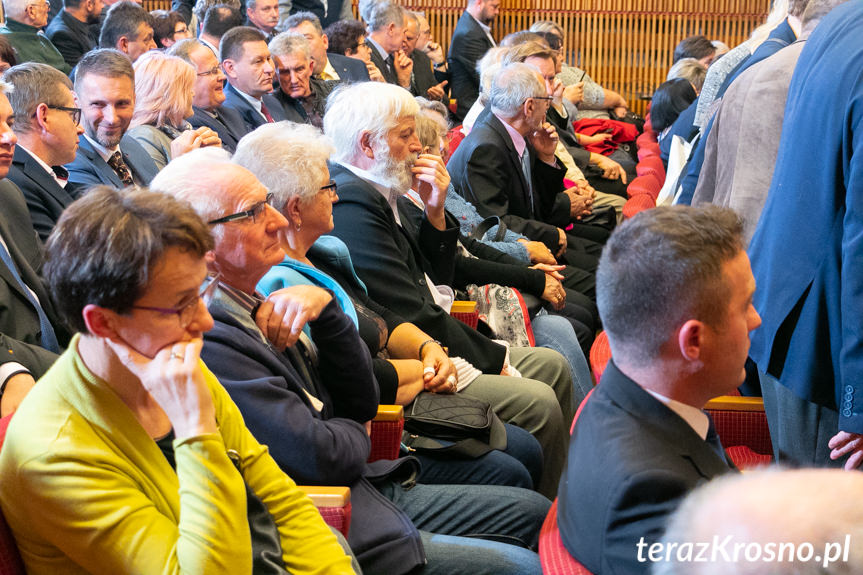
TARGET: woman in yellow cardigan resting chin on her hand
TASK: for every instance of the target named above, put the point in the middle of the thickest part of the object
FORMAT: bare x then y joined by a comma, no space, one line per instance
125,457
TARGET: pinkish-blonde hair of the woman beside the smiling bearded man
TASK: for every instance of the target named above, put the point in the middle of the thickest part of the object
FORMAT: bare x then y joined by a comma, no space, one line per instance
164,87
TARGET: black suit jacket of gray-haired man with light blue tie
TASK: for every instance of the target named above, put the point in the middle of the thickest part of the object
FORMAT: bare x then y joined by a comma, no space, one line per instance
486,171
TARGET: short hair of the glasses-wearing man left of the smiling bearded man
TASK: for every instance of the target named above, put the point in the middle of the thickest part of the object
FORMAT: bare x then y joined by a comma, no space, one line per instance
34,84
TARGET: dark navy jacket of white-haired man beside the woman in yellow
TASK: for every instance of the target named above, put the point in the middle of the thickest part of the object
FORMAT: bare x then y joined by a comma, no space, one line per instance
329,447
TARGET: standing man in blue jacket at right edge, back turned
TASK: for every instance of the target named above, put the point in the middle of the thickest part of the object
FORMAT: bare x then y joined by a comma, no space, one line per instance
806,255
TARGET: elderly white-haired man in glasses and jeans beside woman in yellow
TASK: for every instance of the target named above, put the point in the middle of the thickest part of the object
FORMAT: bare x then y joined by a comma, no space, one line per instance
313,414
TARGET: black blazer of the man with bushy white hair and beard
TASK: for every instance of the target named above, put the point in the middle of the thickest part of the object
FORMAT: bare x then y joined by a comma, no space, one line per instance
392,264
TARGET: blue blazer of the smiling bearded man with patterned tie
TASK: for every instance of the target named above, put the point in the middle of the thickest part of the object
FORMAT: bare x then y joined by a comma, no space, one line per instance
89,169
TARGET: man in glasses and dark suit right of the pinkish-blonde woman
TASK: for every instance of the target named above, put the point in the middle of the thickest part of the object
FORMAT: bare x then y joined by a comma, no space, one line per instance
210,94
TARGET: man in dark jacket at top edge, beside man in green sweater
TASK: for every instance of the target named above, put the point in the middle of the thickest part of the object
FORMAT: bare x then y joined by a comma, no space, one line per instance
70,30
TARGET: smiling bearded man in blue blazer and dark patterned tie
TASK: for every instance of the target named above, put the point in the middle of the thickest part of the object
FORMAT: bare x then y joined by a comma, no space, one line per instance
105,86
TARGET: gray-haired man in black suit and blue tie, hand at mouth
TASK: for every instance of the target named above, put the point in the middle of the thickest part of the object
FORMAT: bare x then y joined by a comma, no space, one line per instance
506,167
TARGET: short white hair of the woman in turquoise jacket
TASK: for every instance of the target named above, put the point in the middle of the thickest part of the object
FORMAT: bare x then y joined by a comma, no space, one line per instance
289,159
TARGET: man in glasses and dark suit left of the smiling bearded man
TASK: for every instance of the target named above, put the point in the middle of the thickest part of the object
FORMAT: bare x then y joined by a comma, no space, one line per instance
47,139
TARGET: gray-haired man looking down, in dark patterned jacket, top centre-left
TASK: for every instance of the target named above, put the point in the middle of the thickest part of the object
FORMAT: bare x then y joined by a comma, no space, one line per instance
303,96
